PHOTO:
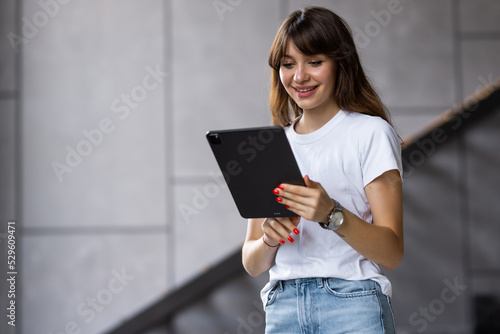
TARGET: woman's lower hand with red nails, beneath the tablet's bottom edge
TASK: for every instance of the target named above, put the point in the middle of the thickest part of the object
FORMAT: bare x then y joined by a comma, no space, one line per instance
277,230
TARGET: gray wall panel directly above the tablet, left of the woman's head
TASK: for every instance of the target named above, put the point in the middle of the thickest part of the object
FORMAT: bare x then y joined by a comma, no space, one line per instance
220,73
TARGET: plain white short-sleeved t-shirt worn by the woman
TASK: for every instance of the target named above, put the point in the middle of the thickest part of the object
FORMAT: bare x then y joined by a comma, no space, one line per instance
344,155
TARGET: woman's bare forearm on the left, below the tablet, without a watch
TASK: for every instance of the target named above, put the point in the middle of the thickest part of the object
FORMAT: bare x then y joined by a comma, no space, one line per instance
257,256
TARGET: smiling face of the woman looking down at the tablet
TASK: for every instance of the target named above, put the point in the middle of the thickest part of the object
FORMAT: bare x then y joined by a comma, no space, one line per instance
309,80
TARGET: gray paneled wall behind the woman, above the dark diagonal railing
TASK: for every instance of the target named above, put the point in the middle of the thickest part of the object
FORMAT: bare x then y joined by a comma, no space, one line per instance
142,198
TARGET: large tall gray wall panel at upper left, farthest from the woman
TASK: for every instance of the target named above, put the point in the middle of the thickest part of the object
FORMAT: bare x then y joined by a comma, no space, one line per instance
99,67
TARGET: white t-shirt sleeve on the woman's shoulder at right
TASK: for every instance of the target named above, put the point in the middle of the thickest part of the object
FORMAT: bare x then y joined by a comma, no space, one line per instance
379,149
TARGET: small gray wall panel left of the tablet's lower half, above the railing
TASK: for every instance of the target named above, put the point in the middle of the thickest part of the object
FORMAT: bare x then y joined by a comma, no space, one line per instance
207,217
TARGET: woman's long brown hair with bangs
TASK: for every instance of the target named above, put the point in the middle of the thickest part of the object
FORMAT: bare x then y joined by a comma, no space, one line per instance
316,30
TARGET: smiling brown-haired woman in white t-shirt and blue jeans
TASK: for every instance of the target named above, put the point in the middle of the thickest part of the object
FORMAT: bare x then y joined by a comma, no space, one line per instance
324,265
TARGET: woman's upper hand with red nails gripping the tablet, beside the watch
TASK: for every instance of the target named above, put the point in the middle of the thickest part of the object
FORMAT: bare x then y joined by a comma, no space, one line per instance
311,202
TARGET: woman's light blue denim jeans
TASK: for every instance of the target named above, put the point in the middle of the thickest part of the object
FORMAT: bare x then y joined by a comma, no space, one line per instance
328,306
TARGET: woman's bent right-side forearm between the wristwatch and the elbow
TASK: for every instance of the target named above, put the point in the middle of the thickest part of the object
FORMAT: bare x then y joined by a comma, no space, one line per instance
377,243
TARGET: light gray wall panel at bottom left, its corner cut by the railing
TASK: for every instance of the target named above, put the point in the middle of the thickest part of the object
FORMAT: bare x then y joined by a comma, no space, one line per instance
91,281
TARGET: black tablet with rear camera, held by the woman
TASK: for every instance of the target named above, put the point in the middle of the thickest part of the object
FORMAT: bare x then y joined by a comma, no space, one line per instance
254,161
